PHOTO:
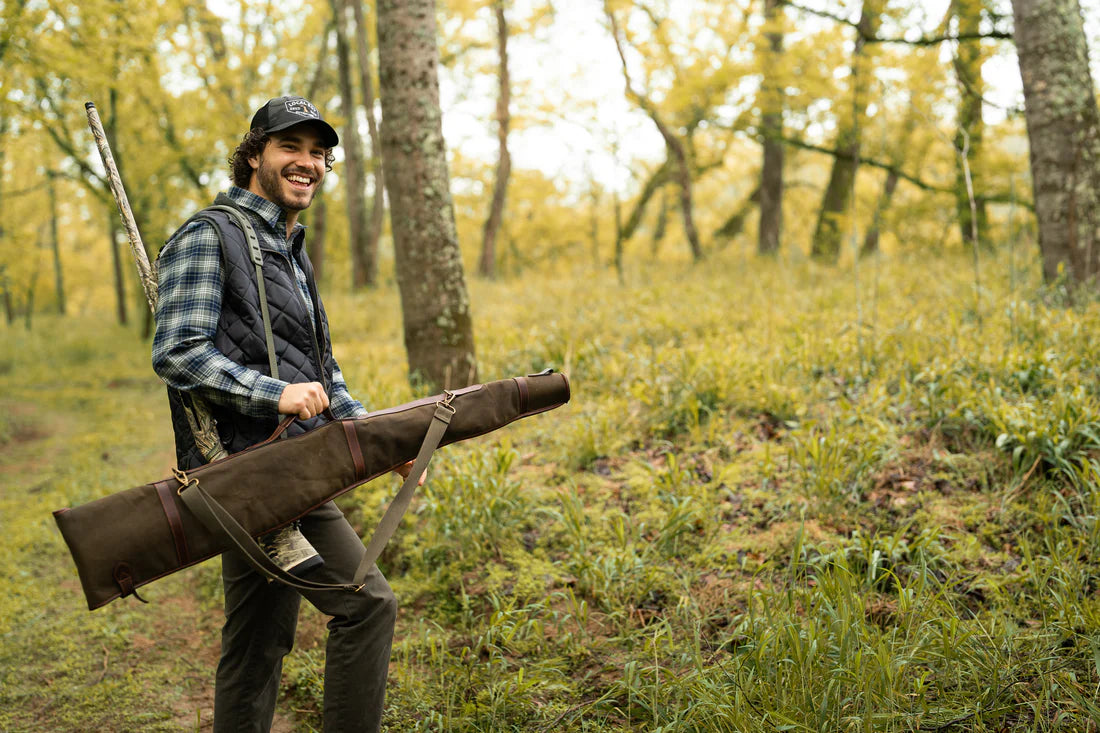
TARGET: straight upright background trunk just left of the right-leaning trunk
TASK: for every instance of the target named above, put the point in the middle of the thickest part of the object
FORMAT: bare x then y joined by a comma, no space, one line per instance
772,126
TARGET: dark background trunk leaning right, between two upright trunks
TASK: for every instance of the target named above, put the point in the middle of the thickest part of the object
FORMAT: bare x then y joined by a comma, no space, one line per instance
827,245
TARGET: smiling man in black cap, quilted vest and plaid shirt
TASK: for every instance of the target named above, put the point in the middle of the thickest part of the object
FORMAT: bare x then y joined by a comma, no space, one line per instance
211,342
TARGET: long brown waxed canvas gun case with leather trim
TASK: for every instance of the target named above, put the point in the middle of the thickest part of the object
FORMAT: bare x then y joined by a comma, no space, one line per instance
127,540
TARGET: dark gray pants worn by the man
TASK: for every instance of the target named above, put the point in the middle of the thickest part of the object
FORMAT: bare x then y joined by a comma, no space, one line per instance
261,618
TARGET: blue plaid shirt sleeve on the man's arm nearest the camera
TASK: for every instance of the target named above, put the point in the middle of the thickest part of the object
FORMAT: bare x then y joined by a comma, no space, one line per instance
190,291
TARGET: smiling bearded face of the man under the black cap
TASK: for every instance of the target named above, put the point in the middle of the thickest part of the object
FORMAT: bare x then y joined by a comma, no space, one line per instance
291,169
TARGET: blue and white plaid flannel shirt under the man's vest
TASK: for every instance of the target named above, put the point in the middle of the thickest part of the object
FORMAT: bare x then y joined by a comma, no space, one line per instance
191,281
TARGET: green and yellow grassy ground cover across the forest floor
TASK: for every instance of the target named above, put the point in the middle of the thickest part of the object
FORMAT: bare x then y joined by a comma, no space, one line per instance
783,498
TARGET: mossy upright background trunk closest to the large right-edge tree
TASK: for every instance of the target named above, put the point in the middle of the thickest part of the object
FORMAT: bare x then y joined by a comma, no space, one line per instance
971,130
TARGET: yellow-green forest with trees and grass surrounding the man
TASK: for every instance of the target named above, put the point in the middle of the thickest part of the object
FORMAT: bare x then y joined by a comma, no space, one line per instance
822,275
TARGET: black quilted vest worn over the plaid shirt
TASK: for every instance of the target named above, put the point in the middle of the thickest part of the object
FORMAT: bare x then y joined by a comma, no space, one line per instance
302,338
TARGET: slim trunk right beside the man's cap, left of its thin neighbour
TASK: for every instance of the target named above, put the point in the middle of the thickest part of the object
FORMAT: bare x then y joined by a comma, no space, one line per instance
364,266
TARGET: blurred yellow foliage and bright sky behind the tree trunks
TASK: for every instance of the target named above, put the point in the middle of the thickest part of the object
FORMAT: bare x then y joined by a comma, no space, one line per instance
591,179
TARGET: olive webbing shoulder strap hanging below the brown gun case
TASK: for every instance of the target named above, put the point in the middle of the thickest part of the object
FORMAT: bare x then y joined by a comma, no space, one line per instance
221,522
